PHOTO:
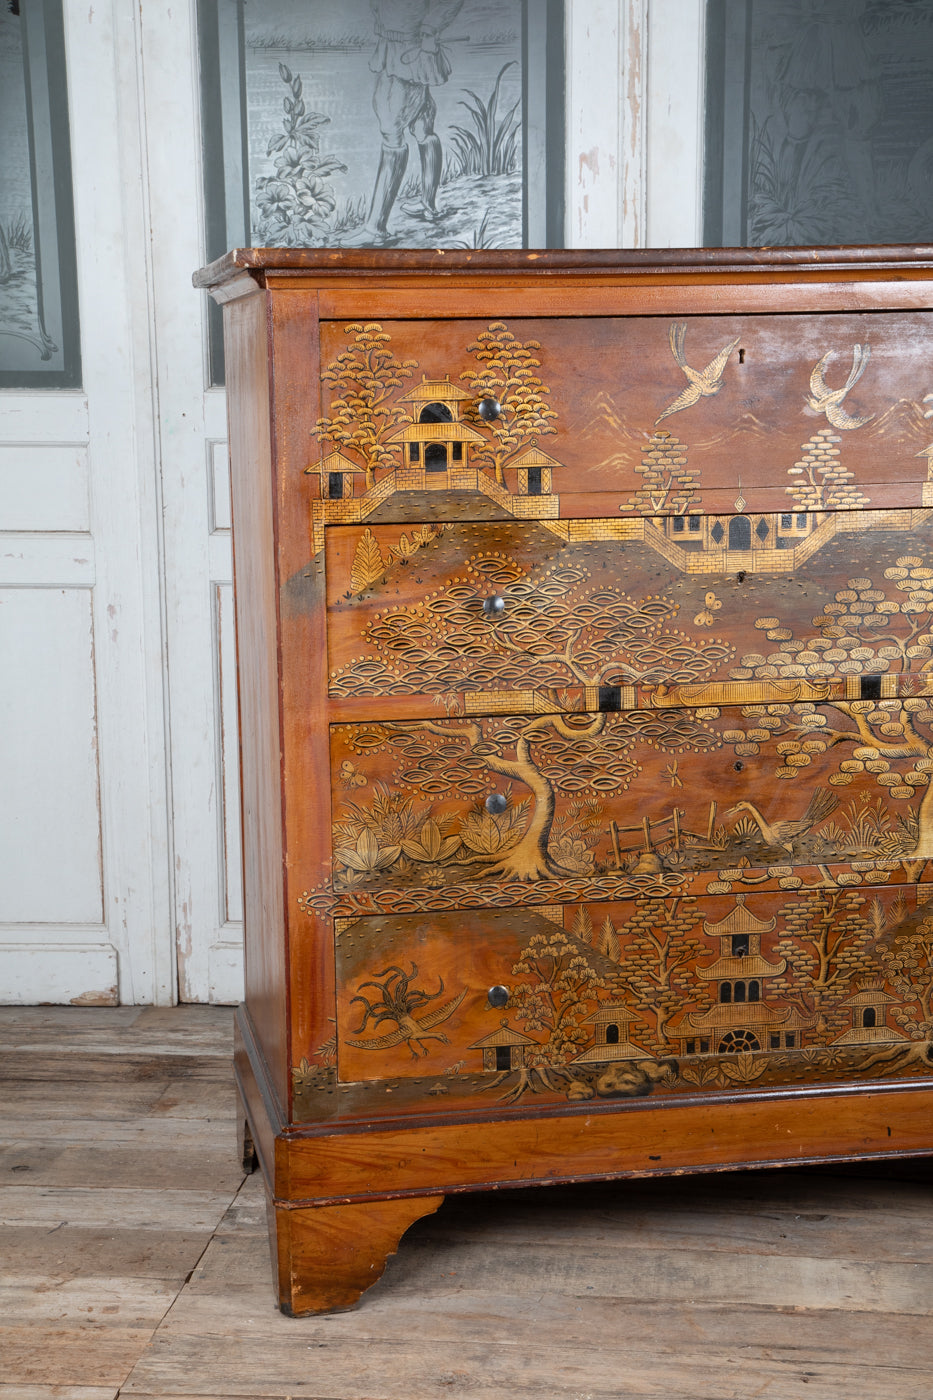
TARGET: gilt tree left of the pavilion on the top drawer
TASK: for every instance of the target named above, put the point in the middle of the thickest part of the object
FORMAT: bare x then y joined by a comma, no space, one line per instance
366,377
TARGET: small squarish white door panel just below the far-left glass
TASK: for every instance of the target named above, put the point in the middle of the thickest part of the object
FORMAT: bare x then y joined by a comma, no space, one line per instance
44,488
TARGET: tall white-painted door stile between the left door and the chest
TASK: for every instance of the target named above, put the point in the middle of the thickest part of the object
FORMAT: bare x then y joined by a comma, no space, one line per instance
198,559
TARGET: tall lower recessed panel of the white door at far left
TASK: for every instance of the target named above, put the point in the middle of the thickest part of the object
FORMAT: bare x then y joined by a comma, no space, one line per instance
50,818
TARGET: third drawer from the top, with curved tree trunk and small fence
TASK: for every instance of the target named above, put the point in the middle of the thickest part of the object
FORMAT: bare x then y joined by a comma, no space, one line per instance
481,810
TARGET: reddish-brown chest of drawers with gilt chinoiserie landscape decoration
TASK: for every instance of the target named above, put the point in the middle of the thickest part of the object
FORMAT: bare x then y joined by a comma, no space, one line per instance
585,612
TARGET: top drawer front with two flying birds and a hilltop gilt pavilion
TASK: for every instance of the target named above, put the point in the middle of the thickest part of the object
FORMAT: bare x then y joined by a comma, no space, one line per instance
651,415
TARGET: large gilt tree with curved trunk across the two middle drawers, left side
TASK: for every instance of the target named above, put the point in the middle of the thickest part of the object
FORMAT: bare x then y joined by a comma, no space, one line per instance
558,629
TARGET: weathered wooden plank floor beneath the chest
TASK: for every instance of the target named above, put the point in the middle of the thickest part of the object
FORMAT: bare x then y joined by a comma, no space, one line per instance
134,1259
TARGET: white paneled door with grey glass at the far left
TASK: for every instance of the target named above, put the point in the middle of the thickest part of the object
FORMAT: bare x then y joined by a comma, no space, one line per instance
85,897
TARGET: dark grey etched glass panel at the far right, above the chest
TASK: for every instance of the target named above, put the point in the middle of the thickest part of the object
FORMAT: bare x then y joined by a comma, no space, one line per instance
820,122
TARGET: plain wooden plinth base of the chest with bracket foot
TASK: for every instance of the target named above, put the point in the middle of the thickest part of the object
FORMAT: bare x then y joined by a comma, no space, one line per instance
341,1196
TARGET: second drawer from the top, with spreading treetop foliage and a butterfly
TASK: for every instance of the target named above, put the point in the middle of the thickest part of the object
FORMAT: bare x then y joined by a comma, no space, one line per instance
628,604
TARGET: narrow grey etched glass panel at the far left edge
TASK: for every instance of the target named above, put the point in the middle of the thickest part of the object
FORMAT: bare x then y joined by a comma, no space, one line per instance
39,300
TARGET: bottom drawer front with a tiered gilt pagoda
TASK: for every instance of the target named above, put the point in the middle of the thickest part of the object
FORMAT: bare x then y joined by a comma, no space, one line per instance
659,996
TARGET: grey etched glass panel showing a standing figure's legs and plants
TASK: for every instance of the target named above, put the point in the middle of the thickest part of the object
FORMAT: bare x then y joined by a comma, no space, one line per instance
380,124
